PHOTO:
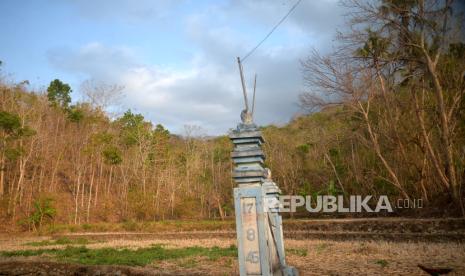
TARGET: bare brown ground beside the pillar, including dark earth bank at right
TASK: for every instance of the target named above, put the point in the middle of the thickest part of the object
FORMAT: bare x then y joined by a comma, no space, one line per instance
324,253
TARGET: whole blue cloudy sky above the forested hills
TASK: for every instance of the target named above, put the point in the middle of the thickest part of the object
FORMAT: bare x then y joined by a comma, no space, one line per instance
176,60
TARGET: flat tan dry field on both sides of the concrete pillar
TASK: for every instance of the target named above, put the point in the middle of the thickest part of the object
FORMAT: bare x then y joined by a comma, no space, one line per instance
311,257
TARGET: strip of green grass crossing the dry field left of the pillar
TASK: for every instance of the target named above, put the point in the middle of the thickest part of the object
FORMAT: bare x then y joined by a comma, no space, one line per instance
138,257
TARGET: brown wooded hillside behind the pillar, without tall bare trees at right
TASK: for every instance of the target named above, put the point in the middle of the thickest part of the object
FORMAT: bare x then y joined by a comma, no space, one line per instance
72,164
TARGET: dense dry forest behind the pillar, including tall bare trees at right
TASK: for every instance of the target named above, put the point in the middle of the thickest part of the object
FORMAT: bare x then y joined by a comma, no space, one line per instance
386,117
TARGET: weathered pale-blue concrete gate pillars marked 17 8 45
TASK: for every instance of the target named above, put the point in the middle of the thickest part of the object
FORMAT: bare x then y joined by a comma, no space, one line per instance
258,223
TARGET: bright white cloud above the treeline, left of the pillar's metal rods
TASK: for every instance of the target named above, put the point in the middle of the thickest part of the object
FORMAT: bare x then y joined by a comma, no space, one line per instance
174,98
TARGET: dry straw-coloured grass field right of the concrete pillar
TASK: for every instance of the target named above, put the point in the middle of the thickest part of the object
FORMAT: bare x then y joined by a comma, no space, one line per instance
375,258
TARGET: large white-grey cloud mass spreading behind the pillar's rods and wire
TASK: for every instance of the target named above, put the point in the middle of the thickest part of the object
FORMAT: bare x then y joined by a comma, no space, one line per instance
208,92
